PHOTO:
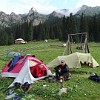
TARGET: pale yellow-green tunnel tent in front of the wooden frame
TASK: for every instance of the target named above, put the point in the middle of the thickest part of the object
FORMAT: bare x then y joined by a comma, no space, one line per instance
74,60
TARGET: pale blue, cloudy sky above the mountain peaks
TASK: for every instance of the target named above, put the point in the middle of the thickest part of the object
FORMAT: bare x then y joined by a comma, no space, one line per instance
43,6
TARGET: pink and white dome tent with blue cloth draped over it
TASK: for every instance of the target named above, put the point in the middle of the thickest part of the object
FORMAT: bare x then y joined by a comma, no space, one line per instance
21,68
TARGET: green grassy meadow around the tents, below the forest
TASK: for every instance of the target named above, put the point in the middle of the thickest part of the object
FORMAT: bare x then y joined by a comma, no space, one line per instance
79,87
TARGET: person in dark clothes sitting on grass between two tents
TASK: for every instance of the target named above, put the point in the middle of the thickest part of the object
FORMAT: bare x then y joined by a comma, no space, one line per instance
62,70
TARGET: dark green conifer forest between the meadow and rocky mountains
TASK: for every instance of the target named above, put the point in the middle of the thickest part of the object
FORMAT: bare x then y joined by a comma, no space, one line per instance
57,28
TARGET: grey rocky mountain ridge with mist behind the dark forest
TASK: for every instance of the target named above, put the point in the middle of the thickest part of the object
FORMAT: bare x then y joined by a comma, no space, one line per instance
7,20
